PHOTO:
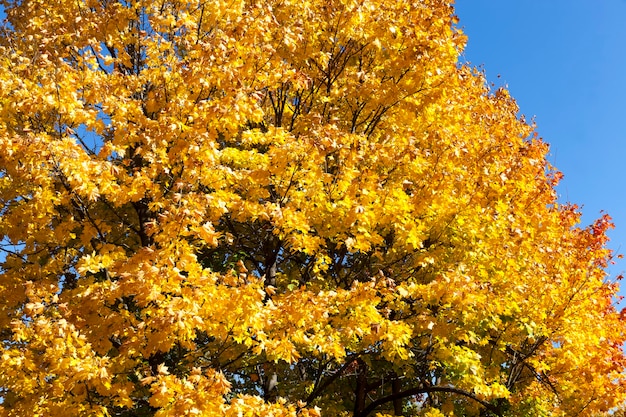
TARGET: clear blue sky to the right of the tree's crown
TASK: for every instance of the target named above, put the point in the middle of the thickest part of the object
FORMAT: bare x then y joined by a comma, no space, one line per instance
565,64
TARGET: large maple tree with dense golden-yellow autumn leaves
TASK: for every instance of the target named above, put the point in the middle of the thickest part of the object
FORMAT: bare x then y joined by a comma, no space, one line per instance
284,207
